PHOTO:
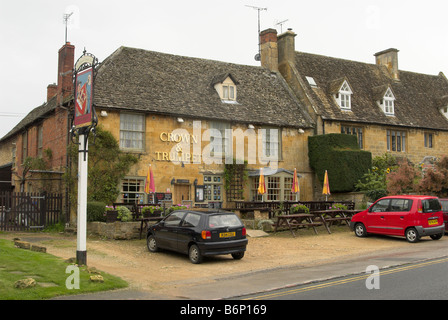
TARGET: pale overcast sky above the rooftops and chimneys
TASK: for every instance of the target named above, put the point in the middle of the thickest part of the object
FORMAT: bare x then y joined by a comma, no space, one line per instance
31,33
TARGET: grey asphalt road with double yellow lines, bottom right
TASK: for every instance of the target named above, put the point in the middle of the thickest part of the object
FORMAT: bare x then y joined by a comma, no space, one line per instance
425,280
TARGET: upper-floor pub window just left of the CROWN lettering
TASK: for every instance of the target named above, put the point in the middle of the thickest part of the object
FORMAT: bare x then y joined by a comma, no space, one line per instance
132,131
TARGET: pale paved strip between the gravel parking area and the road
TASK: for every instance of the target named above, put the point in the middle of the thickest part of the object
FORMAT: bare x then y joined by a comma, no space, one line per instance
232,287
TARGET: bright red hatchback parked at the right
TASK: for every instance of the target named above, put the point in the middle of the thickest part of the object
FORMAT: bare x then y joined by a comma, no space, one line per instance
406,215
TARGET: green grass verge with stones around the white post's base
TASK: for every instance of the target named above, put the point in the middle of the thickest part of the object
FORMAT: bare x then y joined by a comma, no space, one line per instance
48,271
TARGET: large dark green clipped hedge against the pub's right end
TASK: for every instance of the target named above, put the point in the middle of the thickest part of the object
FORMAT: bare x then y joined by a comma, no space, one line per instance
340,155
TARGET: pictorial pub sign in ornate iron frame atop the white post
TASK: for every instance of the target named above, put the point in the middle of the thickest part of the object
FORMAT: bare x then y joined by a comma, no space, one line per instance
83,87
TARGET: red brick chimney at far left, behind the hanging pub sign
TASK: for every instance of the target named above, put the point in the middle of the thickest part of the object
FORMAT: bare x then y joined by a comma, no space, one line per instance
65,71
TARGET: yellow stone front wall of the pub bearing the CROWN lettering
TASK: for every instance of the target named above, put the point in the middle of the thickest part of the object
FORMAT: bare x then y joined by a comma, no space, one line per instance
158,149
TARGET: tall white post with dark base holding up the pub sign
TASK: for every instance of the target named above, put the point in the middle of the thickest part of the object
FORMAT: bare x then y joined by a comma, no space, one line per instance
81,250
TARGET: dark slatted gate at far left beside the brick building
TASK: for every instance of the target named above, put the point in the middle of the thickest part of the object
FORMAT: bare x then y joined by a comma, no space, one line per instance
23,211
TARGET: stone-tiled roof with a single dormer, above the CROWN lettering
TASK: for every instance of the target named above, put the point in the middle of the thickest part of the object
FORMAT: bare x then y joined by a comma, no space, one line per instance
146,81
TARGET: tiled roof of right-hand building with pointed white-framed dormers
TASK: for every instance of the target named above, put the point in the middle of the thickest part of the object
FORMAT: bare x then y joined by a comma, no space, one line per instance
418,96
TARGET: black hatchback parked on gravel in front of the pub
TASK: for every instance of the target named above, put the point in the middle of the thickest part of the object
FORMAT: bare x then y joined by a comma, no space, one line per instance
199,234
